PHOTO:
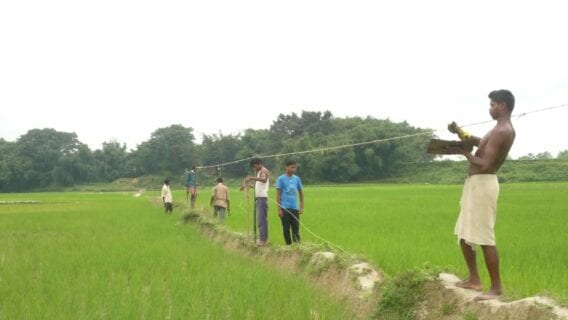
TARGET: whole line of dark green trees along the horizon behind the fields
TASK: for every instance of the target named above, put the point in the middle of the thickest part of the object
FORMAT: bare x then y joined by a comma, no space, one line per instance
46,158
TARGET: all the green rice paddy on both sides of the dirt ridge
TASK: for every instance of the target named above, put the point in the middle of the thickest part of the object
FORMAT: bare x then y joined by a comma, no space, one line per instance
111,255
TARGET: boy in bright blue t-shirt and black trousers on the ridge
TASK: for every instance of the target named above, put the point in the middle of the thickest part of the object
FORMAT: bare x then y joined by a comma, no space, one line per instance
288,188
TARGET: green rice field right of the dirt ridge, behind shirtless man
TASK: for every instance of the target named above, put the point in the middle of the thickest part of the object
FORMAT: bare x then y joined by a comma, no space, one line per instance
398,227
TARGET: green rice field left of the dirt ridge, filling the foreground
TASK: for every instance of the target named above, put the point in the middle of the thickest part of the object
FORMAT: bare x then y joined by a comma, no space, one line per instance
113,256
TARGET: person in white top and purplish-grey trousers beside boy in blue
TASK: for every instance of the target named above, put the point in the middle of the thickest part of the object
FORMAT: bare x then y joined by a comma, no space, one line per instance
261,197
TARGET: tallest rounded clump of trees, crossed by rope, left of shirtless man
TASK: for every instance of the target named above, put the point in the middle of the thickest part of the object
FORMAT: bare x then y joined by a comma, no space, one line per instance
314,130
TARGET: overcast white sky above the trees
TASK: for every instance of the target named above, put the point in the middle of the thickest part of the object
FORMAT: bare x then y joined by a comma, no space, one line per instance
120,69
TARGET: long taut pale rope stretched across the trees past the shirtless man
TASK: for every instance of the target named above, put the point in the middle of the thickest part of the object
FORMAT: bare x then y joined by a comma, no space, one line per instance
332,148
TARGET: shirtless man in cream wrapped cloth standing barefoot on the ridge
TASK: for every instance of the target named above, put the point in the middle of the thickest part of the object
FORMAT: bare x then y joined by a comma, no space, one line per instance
475,225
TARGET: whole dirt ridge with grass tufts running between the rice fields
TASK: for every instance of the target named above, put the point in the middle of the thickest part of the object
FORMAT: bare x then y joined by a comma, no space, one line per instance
417,294
